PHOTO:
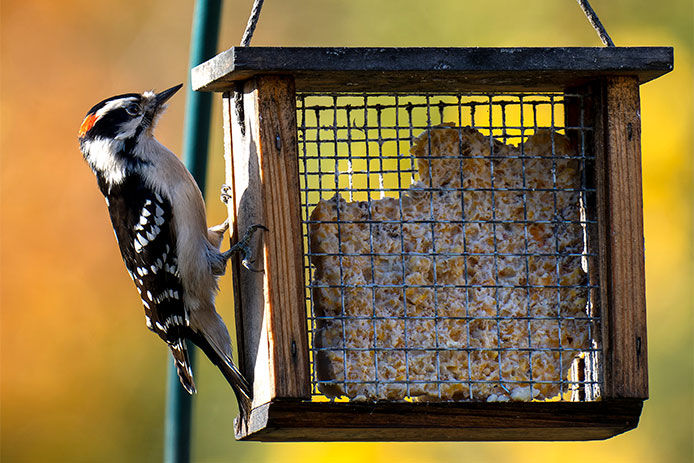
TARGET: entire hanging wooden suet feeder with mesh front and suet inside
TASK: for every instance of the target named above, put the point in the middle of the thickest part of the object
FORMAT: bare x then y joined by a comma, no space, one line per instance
456,239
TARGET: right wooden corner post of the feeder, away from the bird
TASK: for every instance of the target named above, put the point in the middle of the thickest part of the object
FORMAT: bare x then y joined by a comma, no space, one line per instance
620,210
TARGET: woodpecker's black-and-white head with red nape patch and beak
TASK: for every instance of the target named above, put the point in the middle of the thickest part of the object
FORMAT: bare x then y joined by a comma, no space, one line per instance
125,116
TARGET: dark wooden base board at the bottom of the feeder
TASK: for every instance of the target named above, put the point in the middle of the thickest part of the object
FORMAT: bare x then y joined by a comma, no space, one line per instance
473,421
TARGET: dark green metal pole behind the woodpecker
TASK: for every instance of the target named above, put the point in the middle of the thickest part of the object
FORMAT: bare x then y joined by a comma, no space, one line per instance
203,45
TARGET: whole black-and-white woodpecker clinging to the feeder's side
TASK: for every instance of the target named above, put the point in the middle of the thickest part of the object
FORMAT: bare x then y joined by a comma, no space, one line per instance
158,215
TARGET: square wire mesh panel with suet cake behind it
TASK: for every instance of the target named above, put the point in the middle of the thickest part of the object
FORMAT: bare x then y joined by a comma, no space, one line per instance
479,338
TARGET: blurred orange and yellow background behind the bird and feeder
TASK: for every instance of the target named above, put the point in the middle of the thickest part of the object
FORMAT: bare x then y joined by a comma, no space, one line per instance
83,380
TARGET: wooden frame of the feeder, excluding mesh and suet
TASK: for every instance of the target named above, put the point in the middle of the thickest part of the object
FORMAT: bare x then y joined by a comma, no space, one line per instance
259,86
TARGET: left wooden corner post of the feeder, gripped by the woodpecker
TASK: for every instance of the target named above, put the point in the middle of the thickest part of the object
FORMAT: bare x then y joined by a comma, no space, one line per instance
262,172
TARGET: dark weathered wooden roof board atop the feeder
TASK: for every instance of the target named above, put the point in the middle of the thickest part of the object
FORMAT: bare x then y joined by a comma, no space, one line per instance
337,69
